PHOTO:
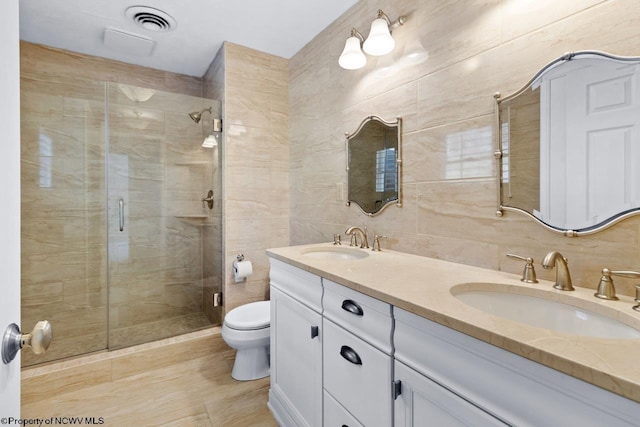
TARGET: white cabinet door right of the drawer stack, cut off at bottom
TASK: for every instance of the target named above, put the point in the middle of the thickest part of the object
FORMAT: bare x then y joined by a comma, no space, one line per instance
423,403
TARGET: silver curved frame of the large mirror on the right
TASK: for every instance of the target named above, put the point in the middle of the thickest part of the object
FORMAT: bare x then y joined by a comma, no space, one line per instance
498,153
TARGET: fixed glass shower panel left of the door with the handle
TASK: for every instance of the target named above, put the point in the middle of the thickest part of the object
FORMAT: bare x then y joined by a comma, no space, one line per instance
63,233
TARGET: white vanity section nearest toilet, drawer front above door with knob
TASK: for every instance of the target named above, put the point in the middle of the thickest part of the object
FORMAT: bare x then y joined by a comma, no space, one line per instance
295,396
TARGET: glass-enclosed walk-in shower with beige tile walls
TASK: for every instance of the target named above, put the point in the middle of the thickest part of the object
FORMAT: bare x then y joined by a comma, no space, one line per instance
121,214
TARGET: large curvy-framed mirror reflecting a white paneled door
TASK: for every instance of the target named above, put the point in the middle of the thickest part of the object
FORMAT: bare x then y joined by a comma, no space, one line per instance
569,144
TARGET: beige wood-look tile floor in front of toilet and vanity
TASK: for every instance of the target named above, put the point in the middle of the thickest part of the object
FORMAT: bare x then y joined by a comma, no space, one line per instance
192,392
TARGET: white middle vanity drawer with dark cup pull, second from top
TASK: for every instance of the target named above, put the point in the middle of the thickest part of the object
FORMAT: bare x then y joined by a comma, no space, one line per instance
357,375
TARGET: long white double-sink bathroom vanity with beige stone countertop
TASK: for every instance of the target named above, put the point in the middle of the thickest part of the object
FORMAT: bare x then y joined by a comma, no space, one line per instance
362,338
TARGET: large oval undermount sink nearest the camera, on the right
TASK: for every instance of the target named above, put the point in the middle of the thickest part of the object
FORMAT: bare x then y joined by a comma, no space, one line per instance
559,316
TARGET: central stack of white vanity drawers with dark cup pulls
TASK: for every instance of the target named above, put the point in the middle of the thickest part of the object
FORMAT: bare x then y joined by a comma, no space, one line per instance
357,353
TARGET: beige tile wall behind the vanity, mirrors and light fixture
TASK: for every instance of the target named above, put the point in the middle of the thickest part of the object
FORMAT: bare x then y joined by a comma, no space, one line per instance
464,51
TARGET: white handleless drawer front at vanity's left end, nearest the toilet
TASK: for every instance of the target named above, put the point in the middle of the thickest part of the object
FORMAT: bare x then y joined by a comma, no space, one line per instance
297,283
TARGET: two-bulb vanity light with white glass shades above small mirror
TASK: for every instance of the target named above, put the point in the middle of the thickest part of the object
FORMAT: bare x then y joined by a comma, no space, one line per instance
380,42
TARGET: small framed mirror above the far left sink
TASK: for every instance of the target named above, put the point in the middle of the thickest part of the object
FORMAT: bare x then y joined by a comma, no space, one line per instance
373,165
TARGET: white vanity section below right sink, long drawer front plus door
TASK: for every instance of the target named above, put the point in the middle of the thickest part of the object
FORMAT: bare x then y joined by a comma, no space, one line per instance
470,376
